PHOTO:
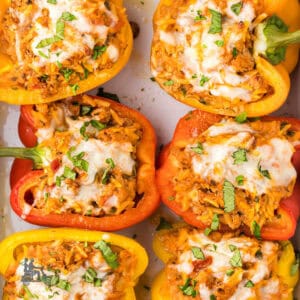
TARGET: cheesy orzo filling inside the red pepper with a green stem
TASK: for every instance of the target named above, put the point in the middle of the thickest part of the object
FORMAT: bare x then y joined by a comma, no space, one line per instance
90,167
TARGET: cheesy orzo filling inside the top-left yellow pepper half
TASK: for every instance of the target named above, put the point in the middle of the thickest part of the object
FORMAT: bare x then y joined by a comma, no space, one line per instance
56,44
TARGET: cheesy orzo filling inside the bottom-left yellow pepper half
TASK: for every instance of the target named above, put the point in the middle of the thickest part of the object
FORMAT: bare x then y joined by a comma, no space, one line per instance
70,270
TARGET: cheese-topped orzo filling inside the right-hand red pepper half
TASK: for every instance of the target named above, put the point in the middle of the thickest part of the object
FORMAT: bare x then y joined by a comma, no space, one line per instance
236,173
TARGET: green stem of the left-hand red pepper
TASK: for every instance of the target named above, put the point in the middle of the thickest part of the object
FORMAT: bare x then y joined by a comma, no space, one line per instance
39,156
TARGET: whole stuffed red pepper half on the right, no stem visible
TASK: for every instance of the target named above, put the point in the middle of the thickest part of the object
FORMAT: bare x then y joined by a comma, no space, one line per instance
223,173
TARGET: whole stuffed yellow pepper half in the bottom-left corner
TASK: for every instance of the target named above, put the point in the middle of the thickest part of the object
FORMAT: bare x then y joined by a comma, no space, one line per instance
70,264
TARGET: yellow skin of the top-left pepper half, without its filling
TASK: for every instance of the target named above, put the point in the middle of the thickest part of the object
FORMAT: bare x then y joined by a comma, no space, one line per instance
22,96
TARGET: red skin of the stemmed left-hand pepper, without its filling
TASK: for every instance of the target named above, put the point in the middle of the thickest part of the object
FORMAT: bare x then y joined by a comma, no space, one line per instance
21,197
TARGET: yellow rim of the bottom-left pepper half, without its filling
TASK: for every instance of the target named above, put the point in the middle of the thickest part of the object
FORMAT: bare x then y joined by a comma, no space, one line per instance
8,246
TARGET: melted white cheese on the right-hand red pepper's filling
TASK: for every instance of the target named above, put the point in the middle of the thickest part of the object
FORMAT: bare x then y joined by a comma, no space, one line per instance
217,161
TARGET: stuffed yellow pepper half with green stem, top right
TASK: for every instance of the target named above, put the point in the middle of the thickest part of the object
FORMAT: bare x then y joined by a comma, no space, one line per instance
226,57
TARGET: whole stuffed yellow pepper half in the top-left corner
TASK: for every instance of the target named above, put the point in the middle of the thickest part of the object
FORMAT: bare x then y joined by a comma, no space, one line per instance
51,50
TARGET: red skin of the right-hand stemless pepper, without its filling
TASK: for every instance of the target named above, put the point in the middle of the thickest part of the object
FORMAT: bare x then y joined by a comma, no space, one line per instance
196,122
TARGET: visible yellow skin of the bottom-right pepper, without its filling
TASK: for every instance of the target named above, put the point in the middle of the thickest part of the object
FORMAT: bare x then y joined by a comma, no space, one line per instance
283,267
